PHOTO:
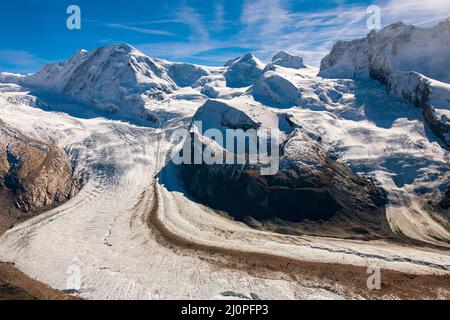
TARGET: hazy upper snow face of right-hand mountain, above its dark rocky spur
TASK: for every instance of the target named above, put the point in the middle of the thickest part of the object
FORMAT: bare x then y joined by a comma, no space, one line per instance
398,47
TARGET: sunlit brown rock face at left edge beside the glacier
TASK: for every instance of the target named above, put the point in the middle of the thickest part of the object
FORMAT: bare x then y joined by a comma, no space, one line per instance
35,175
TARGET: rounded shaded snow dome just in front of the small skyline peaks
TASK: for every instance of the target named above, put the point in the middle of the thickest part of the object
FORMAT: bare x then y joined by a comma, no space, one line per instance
275,90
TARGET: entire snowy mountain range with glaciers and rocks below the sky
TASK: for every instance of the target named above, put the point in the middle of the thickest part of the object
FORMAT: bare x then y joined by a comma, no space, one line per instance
364,170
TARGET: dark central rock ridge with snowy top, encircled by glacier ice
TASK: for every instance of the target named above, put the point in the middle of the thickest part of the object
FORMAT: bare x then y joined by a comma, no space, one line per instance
310,193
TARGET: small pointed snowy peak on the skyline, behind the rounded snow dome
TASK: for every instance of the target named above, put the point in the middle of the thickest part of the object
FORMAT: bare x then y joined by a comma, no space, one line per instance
243,71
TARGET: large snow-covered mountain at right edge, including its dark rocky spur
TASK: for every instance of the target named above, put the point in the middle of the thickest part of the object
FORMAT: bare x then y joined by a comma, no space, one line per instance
411,62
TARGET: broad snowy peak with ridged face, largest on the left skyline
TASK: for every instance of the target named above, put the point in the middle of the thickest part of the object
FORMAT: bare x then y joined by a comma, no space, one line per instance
116,78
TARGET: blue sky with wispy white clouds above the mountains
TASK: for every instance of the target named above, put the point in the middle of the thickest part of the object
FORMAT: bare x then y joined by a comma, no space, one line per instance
33,33
